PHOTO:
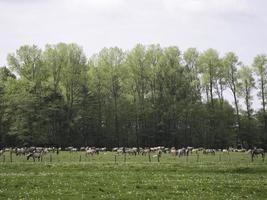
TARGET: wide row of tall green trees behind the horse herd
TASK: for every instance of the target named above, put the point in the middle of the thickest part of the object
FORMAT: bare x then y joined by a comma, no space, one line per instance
146,96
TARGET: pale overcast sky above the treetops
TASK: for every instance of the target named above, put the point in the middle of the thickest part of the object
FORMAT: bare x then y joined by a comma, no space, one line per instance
226,25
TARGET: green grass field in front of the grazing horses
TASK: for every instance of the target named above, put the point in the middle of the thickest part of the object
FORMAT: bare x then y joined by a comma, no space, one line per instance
75,176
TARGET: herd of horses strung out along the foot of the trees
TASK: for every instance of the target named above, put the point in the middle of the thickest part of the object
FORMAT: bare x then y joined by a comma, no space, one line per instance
36,153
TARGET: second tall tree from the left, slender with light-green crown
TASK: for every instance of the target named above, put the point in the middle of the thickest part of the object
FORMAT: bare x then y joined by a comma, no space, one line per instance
56,59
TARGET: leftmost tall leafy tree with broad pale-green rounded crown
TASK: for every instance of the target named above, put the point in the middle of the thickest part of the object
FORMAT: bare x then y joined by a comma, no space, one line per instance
28,64
